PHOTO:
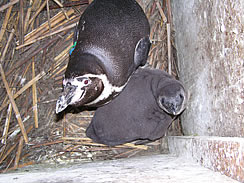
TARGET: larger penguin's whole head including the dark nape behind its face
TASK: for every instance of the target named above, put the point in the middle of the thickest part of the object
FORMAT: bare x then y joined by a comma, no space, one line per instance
82,83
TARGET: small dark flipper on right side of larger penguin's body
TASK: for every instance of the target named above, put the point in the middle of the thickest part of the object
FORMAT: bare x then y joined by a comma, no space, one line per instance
141,51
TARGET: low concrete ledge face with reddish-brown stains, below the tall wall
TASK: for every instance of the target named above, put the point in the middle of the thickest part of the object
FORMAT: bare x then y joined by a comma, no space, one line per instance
222,154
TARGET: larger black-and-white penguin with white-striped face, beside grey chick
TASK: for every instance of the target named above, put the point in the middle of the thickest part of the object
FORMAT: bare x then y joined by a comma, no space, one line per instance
112,42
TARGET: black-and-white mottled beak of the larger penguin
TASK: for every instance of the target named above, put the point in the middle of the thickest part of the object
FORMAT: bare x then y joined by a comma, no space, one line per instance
68,97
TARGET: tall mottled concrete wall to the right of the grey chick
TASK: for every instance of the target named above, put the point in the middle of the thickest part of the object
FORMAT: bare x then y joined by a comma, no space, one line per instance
210,45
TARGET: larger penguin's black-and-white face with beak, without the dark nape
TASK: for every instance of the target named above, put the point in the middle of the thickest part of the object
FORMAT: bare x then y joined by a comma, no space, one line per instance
78,91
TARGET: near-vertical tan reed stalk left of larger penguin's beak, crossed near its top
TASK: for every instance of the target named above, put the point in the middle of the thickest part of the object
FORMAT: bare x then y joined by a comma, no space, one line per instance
34,95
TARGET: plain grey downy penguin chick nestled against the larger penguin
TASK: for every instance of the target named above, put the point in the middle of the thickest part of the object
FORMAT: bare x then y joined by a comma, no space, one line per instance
142,111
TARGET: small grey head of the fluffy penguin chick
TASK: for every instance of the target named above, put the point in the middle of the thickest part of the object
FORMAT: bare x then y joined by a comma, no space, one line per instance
172,98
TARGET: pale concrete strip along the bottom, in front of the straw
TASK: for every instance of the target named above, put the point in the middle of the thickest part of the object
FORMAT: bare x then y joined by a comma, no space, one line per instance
146,169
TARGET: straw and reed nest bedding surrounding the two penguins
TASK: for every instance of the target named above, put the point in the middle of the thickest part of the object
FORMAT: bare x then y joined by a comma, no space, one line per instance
35,39
